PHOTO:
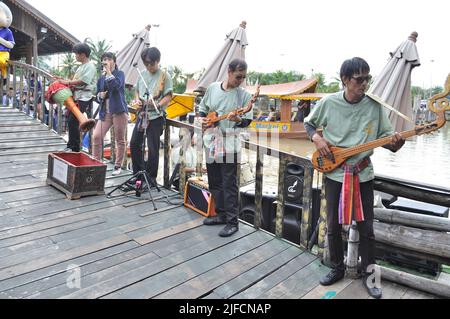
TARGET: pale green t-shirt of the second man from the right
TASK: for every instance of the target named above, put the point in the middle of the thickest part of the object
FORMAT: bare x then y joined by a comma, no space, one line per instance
218,100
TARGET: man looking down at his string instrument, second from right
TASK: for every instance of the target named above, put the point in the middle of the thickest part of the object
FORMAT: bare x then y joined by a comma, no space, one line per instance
223,145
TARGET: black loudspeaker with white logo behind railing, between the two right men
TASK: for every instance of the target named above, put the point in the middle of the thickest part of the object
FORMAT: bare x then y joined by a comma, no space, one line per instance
293,190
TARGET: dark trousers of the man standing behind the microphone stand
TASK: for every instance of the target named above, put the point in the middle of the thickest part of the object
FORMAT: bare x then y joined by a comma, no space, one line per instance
154,131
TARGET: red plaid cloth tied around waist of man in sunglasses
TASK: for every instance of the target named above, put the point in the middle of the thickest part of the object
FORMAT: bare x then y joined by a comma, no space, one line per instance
350,204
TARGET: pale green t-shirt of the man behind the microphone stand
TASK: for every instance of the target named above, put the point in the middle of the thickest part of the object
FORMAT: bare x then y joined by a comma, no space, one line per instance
153,81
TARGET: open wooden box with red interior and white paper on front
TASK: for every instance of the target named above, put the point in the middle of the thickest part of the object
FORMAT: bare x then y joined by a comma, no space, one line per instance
76,174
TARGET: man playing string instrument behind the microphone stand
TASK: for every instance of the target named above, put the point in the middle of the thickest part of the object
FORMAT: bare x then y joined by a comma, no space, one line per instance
160,87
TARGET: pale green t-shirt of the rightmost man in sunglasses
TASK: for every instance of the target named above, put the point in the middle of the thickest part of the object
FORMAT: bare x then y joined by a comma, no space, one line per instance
347,125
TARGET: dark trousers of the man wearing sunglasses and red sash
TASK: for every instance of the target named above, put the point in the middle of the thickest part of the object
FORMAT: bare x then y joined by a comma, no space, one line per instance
366,233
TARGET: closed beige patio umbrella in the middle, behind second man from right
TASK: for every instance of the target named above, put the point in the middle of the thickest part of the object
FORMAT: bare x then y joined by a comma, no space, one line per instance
233,48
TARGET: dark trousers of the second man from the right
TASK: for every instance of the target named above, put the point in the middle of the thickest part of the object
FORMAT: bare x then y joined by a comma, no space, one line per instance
223,185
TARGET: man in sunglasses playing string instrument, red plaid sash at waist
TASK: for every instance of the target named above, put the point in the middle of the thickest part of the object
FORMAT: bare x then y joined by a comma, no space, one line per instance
348,119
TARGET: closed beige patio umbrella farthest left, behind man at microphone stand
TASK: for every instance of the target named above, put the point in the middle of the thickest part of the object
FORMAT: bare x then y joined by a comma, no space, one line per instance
131,54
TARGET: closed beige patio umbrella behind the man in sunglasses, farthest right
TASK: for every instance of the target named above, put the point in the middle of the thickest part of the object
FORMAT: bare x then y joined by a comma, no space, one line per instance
393,84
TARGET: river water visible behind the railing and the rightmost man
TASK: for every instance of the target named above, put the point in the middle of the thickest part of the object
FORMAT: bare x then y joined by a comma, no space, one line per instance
424,159
